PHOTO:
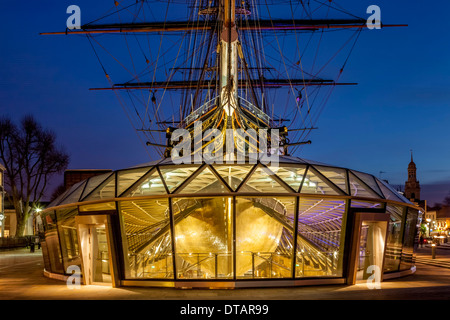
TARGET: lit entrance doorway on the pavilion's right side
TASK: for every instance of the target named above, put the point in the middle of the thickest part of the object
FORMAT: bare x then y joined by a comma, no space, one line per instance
371,248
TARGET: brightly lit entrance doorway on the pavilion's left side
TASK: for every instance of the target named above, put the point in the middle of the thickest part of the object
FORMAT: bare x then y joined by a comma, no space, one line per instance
95,247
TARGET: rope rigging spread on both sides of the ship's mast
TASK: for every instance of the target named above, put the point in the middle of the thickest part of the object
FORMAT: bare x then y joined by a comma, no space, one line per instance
267,52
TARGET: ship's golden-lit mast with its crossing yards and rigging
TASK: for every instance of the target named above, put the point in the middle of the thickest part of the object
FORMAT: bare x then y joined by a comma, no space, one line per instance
224,72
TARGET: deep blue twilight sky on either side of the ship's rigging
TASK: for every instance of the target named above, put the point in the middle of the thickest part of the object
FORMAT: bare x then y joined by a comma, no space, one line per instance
401,102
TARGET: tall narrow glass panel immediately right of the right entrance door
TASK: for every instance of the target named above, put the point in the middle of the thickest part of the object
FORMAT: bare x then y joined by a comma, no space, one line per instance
394,238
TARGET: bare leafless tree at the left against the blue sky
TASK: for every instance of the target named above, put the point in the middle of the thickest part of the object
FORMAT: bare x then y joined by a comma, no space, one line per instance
30,156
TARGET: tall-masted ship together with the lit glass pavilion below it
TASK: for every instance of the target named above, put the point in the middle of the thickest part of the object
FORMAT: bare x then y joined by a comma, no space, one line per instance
243,82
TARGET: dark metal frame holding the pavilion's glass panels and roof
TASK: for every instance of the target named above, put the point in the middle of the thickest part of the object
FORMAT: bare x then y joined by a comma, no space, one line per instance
81,197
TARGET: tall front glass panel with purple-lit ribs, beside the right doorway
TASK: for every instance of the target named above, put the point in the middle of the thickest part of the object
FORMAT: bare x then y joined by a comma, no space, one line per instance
319,247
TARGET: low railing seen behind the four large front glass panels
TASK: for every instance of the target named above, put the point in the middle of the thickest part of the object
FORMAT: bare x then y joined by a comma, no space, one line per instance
220,265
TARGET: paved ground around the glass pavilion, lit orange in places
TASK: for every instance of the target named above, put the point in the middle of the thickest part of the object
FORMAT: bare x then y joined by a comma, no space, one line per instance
21,277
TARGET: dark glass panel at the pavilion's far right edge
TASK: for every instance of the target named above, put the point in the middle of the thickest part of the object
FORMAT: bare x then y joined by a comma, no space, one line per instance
410,234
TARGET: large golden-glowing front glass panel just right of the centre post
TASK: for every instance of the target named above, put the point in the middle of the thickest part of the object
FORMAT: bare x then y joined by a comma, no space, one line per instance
264,237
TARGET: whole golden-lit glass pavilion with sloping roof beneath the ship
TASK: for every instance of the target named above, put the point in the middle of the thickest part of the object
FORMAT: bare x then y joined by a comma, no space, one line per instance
230,225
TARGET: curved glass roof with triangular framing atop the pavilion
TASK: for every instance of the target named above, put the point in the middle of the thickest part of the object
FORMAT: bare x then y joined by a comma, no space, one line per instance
291,175
